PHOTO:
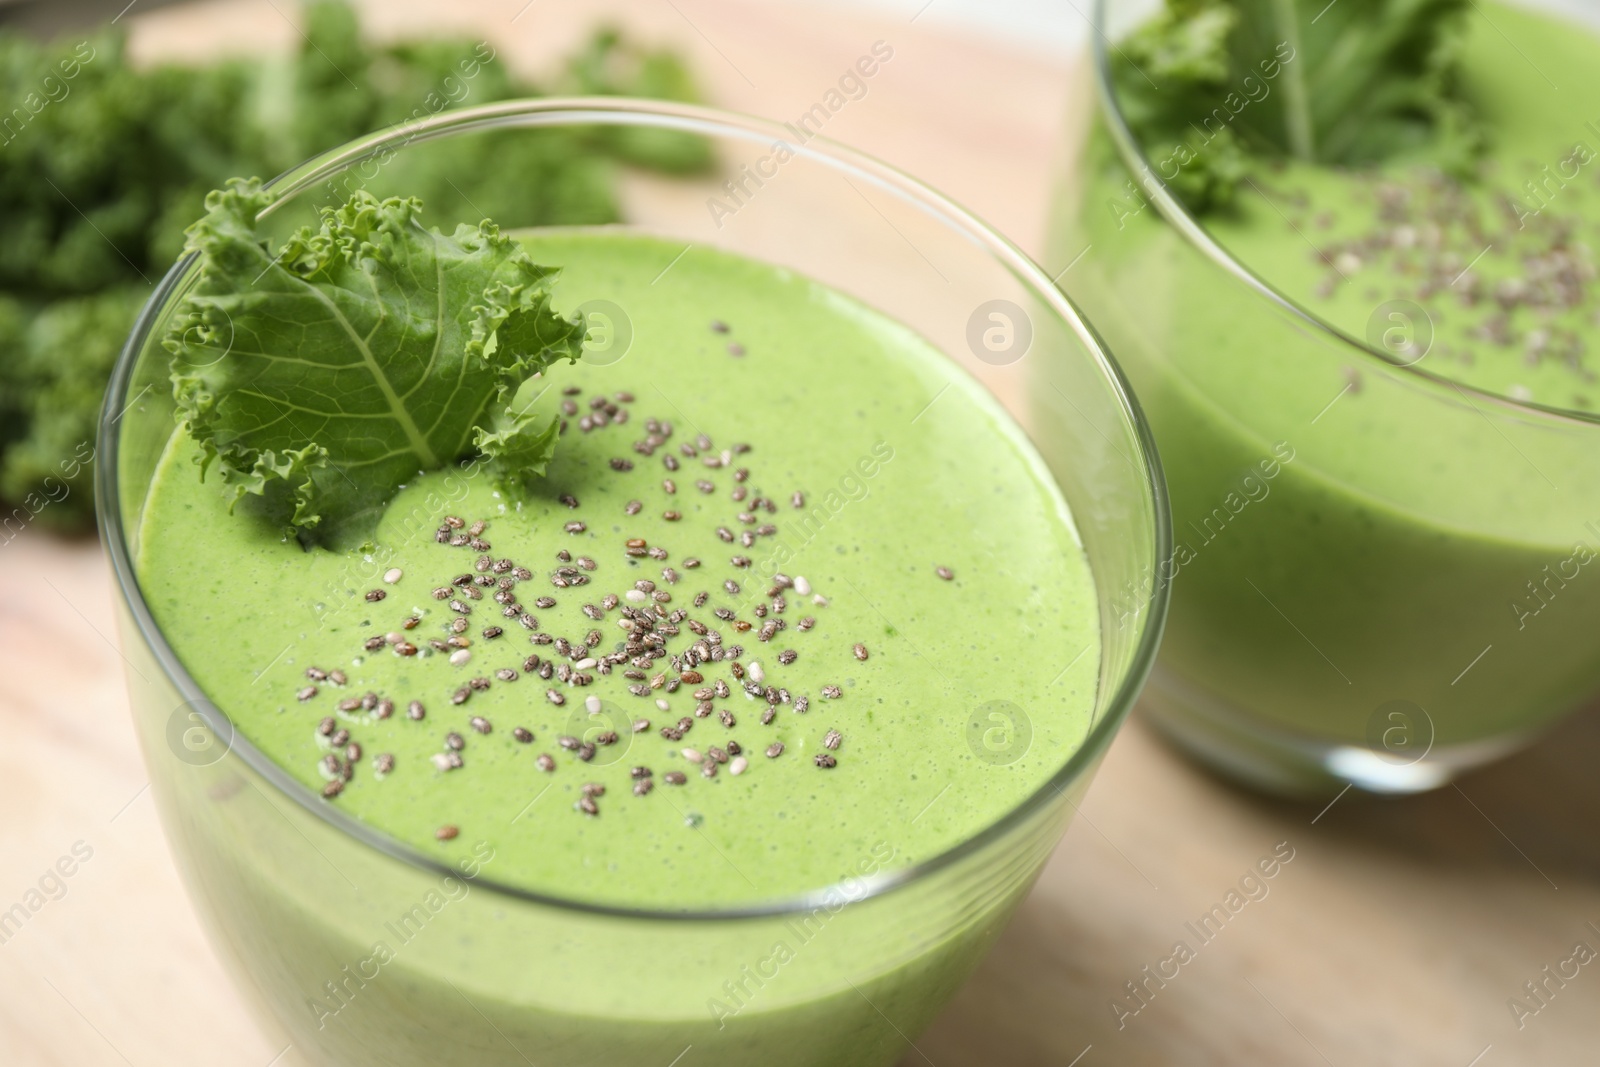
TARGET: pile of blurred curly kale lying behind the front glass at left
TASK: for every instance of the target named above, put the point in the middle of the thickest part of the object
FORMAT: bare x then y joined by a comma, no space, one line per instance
98,185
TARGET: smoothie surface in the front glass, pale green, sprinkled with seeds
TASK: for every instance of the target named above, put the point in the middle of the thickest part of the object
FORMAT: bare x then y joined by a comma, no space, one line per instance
724,652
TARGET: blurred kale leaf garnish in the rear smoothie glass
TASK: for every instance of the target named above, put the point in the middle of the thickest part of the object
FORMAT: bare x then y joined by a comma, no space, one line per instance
1207,86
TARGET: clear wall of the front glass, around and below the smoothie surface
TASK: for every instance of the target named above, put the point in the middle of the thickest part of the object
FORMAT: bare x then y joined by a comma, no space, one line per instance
362,951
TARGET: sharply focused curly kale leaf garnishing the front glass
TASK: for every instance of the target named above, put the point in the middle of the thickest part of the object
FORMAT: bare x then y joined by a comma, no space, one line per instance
326,375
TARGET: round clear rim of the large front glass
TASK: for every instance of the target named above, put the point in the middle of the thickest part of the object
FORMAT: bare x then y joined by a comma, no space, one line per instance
694,119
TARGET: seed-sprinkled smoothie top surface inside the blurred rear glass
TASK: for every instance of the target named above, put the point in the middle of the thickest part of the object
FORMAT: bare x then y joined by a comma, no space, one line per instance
1503,266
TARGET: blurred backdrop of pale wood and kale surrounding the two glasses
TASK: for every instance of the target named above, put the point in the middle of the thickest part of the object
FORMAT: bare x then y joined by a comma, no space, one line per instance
1399,932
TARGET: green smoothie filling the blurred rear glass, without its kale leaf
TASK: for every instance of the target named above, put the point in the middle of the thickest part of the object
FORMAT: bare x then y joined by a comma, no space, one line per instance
1354,537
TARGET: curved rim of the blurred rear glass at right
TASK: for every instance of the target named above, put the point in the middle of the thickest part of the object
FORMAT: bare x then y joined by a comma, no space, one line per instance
1193,231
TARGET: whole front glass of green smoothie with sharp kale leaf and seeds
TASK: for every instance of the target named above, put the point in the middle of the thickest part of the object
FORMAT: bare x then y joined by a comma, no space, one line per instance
708,695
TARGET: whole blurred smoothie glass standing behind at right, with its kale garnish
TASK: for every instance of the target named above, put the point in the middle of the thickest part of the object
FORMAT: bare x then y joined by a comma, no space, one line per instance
1345,252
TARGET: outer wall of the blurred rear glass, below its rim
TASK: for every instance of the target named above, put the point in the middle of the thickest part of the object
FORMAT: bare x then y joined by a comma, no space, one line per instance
1378,572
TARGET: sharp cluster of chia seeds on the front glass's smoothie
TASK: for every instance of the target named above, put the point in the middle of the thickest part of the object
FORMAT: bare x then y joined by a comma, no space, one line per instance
649,641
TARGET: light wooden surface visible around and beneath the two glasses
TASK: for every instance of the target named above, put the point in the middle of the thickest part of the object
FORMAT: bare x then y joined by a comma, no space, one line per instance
1396,935
